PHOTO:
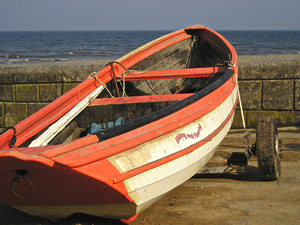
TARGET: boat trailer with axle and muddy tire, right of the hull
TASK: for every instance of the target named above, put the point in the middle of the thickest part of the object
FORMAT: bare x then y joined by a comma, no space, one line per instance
265,149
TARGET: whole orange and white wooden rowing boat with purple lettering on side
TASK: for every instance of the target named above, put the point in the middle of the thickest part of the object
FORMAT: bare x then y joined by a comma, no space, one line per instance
177,96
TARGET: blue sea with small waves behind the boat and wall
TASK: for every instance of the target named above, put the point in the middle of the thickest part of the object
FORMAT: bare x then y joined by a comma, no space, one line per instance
48,46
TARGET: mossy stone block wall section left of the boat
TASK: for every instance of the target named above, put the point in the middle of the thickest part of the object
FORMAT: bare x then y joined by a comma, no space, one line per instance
26,89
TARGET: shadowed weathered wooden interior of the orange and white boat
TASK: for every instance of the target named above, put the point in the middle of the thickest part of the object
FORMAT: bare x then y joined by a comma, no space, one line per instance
137,98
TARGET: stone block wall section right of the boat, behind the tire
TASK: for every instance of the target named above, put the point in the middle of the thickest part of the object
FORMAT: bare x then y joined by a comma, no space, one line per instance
269,86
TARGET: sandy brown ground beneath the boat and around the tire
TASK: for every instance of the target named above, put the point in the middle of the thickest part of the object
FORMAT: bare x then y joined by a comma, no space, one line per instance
215,199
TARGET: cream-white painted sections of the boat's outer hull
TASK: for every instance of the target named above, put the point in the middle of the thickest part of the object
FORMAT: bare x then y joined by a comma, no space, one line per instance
146,188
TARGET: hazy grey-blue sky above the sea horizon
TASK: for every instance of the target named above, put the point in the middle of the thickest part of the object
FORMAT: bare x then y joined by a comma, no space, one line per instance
148,14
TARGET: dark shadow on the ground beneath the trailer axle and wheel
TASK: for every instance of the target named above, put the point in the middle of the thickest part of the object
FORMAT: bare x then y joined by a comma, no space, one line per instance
252,173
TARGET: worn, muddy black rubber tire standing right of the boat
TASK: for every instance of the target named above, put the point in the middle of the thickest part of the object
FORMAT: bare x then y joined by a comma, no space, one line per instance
267,149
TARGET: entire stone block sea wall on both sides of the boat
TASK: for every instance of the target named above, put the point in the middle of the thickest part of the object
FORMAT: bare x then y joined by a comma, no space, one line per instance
269,86
